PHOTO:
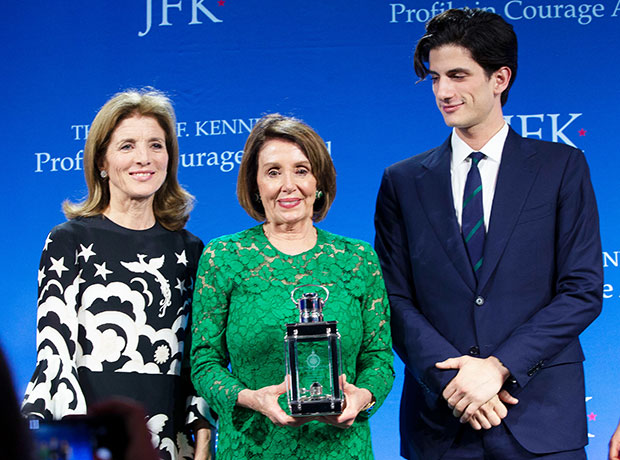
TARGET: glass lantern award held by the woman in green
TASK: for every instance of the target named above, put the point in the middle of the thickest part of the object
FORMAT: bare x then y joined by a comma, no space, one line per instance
312,349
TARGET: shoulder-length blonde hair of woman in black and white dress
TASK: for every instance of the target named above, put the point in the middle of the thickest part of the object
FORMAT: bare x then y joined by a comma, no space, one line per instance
172,204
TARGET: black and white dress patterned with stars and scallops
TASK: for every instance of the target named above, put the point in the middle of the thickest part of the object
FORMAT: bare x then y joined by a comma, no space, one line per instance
113,312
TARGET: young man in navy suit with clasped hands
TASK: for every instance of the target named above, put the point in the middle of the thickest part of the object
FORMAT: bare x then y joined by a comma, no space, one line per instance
491,254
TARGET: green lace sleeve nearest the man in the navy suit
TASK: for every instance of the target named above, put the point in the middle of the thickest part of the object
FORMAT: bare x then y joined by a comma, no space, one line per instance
376,359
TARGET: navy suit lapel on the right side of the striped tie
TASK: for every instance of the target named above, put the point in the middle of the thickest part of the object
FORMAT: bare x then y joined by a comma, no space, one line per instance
516,175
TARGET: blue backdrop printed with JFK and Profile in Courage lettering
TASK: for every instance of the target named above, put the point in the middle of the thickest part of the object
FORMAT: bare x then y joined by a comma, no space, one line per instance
344,67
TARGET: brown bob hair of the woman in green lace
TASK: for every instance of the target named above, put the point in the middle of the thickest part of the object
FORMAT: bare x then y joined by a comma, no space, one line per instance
276,126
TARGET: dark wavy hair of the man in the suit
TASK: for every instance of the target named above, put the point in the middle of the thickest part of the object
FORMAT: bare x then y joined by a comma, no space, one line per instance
491,41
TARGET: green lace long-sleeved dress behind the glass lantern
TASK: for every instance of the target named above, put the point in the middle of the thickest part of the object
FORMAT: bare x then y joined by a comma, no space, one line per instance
241,305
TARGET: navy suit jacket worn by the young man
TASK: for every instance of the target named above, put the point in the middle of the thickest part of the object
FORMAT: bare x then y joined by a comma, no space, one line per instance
539,287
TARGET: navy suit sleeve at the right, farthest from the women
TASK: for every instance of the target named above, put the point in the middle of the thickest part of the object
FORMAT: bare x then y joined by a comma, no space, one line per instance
579,281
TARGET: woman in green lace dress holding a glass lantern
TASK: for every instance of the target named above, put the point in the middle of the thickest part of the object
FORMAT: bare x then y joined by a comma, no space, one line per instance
242,301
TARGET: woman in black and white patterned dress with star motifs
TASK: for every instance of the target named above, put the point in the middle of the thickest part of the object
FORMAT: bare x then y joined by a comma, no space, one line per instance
116,282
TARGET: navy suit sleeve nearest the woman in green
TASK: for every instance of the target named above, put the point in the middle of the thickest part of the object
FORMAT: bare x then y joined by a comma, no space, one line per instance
416,340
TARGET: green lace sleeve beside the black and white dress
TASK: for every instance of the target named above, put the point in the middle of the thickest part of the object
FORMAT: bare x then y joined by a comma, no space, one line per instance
209,355
